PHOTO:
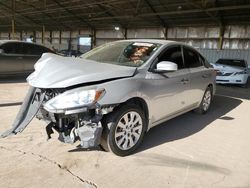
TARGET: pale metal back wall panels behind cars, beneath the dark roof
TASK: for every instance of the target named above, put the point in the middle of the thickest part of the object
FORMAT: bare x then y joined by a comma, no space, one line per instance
236,43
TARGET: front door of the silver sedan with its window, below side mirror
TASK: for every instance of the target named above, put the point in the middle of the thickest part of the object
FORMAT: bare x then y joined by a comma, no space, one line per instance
168,91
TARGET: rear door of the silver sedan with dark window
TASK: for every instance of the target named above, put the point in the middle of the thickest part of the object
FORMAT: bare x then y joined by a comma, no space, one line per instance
200,76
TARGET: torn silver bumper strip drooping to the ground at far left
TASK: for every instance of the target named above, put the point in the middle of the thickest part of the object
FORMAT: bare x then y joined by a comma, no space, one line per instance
27,112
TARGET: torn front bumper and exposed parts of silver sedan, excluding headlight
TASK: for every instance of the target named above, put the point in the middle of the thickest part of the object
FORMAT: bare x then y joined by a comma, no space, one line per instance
84,125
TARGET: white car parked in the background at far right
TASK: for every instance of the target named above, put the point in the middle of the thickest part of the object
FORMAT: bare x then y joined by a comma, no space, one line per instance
231,71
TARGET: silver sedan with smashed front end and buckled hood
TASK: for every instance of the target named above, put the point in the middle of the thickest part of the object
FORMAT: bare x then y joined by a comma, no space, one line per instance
112,95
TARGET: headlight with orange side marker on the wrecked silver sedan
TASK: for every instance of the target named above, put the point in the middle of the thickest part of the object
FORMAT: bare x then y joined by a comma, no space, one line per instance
73,100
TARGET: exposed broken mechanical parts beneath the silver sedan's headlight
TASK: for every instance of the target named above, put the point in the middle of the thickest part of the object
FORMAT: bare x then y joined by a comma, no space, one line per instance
84,126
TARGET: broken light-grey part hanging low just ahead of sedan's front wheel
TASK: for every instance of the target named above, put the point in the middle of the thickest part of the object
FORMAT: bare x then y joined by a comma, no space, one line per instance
90,135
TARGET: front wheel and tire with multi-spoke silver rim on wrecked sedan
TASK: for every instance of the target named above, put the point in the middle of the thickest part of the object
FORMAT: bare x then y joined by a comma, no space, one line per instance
124,130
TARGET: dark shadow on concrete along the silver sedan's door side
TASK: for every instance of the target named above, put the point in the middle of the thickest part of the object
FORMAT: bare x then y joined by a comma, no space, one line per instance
189,123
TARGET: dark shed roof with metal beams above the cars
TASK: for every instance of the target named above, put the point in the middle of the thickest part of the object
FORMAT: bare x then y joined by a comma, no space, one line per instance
76,14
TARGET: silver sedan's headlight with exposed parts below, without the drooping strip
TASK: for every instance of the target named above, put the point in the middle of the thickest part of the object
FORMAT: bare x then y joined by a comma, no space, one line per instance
74,114
